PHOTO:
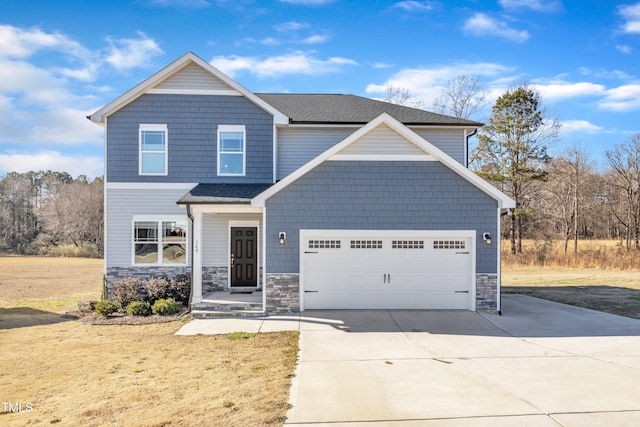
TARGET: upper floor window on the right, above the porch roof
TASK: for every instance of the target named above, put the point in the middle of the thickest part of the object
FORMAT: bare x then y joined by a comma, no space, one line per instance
231,150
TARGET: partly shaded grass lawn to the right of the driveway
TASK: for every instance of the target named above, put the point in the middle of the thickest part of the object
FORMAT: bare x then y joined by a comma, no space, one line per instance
611,291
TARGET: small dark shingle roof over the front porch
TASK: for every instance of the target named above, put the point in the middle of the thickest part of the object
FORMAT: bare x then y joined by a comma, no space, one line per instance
222,193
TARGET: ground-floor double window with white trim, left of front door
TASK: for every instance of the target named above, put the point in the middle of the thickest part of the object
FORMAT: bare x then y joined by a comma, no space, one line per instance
160,242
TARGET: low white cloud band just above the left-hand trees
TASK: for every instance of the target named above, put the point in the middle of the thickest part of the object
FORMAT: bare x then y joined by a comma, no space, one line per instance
44,160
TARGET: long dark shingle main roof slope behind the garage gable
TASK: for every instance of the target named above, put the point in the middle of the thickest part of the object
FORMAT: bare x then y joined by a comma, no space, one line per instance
352,109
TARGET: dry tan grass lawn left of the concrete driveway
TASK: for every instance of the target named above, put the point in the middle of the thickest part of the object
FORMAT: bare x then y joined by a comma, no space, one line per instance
75,374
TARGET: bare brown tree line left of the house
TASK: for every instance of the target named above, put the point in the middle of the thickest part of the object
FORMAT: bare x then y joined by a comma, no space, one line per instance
41,211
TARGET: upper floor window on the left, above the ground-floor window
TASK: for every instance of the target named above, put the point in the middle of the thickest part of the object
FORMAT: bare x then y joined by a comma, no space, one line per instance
153,149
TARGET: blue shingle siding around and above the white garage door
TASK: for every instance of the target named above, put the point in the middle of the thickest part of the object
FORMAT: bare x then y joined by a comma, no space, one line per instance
378,196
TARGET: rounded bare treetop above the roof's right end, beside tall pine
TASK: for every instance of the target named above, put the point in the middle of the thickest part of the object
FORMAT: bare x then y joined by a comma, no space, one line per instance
462,97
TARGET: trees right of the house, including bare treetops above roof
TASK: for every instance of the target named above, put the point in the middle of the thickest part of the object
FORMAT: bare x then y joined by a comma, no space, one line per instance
566,197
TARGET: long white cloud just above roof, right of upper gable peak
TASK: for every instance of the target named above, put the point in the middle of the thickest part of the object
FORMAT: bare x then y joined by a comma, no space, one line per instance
277,66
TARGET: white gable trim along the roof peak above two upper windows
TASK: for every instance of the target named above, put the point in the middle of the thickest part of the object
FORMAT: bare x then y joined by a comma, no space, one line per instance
171,70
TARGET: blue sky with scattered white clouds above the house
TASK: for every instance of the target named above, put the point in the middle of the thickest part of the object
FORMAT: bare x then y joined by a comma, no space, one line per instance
60,61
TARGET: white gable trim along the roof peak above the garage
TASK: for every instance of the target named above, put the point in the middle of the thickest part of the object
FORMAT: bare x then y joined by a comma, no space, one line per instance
385,119
